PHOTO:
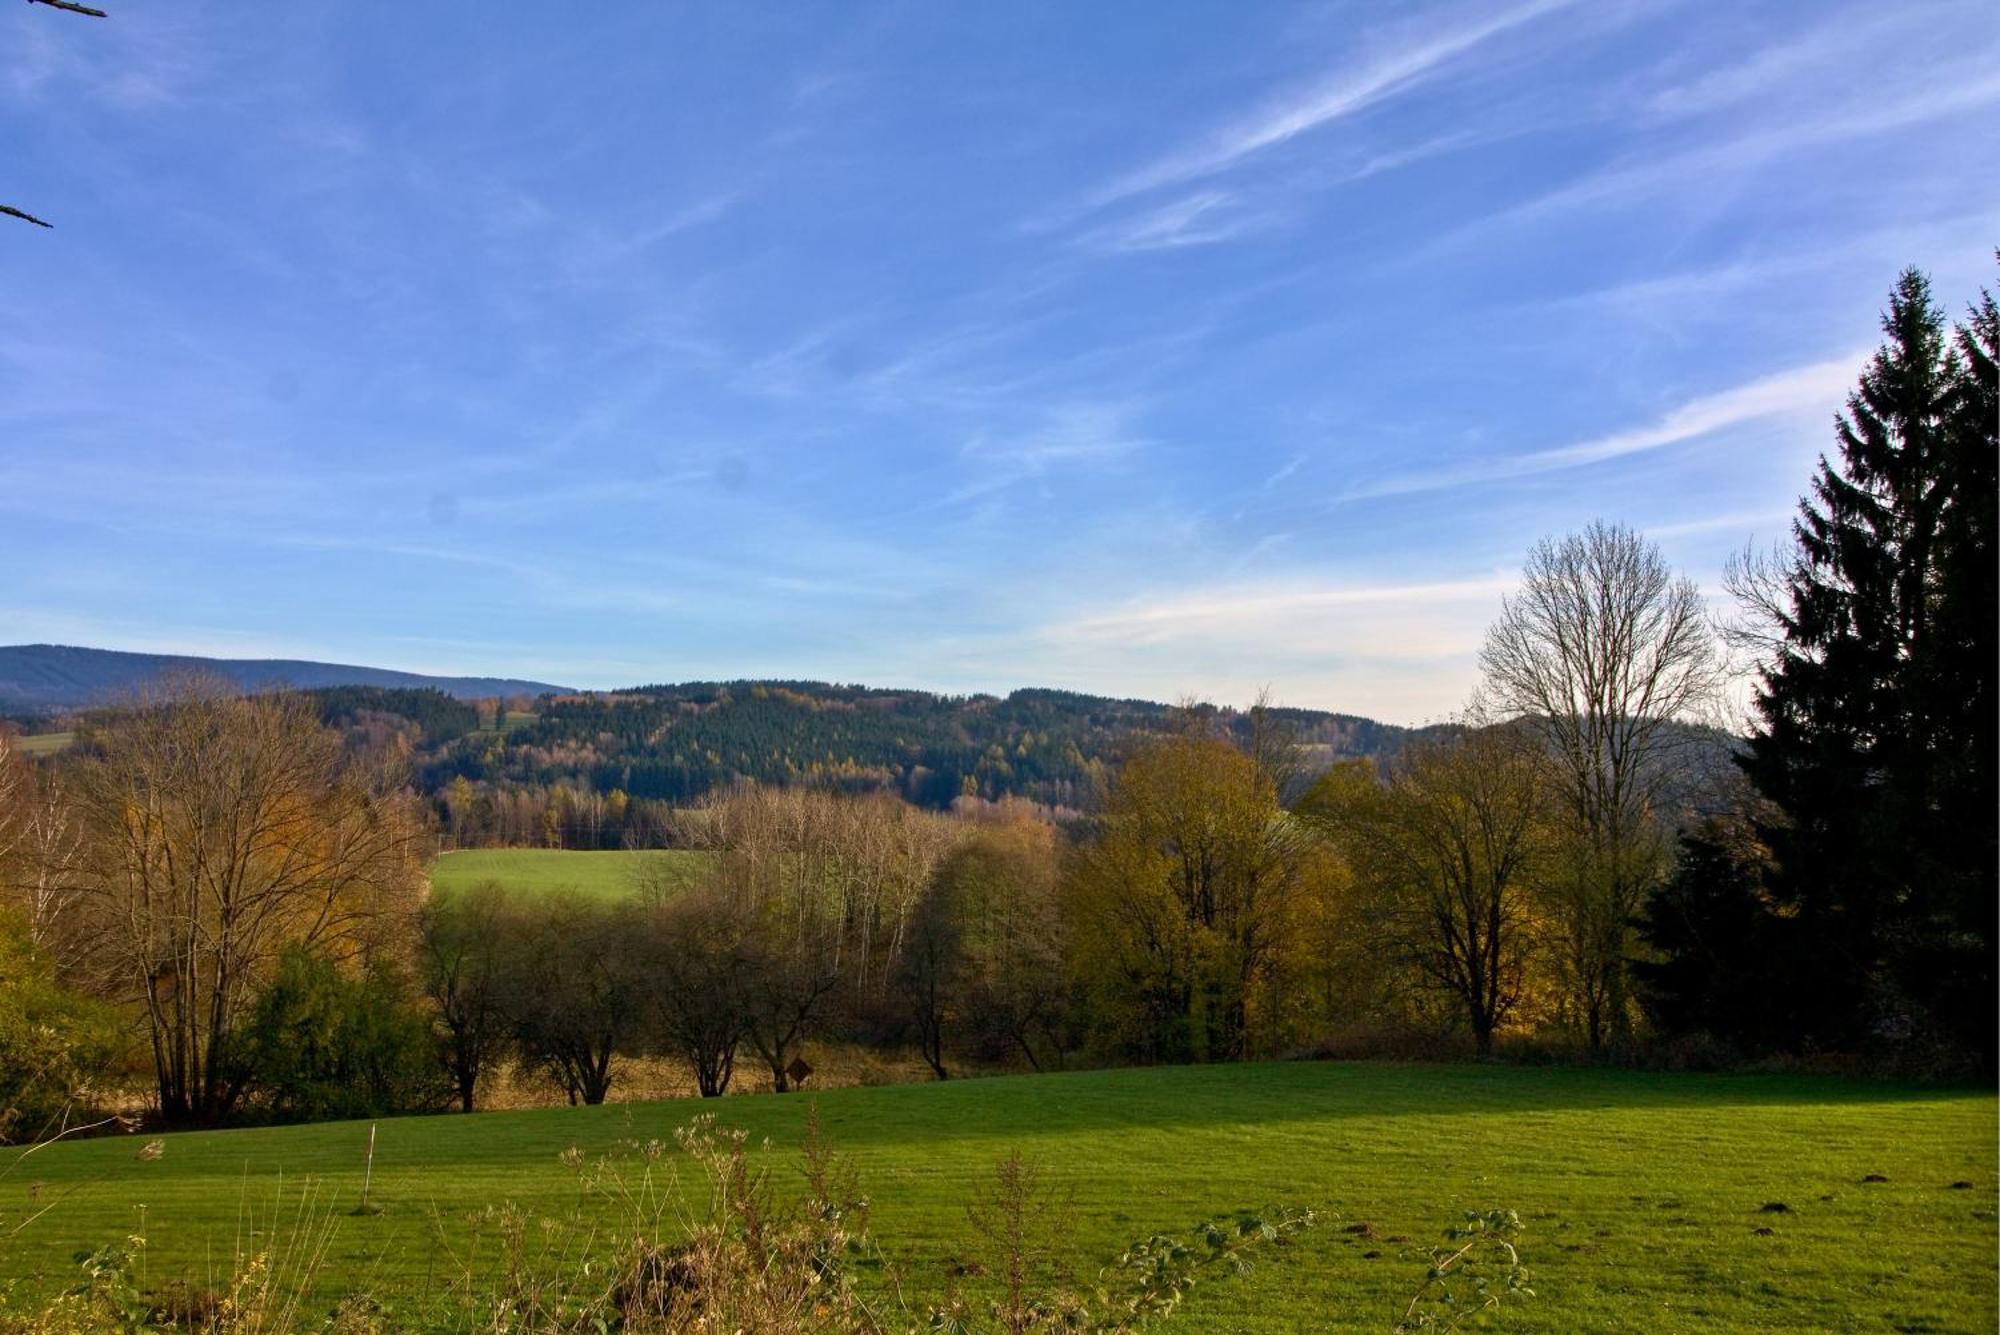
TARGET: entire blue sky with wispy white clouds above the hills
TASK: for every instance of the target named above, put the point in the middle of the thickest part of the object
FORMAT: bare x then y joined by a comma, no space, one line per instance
1137,349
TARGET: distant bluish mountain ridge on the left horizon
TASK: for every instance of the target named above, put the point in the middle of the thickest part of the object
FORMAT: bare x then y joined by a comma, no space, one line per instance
47,678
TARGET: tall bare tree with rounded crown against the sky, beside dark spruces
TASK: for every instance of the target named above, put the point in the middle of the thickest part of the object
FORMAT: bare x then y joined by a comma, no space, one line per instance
1605,655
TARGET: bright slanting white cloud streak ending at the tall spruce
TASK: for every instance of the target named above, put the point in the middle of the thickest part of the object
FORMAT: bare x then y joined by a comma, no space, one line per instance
1801,389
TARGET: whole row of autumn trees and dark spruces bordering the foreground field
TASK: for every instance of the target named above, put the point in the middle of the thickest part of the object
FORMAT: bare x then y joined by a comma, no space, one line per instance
237,884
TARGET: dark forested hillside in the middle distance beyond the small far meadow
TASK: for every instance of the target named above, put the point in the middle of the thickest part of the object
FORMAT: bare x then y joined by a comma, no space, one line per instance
603,770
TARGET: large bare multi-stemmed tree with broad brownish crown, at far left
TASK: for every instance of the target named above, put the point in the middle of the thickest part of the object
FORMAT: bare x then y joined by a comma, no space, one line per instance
221,830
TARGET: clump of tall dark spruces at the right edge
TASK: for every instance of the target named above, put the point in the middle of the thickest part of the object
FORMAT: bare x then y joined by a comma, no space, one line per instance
1867,736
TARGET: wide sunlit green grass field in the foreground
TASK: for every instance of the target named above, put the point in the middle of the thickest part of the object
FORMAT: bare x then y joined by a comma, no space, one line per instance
1641,1192
